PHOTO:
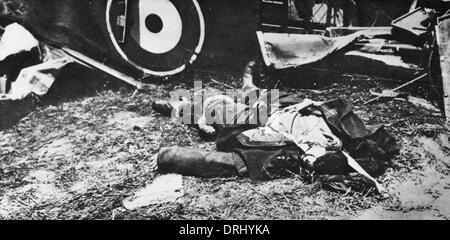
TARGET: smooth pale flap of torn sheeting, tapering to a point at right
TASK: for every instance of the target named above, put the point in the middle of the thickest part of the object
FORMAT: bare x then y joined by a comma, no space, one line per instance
283,50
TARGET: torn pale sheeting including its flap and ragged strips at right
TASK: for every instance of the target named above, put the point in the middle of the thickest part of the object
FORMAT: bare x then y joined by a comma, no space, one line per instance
282,50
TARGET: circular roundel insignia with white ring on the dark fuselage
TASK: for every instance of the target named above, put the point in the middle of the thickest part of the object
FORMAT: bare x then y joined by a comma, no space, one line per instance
159,37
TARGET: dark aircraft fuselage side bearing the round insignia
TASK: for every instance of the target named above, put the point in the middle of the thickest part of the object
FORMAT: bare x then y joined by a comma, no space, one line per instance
140,38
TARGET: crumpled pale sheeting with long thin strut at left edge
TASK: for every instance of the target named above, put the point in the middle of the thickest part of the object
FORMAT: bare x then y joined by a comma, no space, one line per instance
39,78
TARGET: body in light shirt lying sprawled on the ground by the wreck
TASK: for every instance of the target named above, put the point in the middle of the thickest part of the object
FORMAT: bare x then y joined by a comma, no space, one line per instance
298,136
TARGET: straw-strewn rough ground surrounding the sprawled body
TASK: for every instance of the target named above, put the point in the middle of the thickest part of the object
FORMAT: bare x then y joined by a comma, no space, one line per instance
80,156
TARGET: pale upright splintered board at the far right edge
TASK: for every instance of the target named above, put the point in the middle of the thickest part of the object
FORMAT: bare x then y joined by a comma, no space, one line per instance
443,40
